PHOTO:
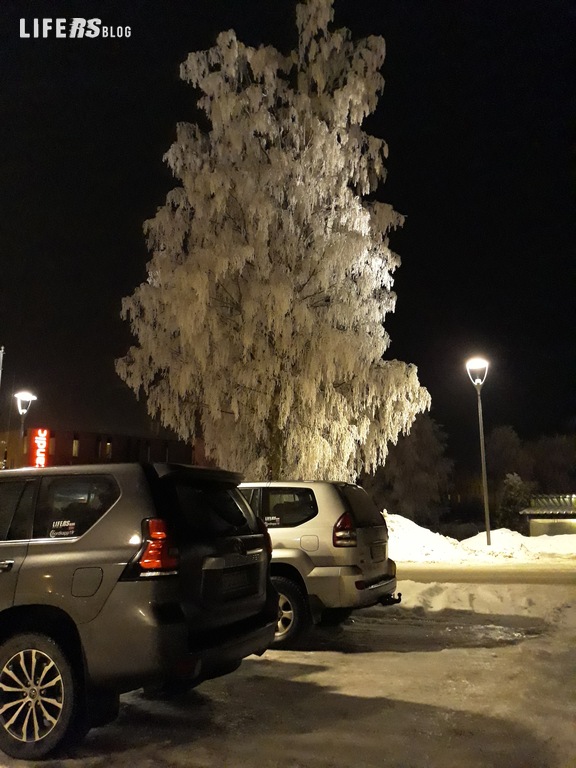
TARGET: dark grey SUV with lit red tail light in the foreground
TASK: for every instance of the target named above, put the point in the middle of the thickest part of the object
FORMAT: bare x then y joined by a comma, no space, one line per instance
120,576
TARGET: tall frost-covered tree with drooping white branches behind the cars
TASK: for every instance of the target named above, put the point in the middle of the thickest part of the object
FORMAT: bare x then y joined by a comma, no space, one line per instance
261,324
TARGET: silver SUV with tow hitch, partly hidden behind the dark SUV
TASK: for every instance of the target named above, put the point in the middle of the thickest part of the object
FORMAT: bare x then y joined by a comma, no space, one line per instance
329,555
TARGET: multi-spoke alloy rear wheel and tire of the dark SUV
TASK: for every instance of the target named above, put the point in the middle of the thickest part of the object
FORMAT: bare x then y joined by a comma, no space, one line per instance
40,697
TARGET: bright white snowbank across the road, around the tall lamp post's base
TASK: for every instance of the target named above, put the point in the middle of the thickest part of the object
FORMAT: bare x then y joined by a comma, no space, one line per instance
410,542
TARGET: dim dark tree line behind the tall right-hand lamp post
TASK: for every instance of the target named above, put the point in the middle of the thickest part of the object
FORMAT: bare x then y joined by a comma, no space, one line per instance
418,478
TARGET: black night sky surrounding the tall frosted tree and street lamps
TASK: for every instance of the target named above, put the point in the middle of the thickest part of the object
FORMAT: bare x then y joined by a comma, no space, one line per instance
479,112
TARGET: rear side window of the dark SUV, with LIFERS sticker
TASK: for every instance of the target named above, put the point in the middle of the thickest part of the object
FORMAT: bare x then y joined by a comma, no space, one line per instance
69,506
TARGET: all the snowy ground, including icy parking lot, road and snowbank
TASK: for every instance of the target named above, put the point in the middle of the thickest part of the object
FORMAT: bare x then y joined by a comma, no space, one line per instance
474,675
